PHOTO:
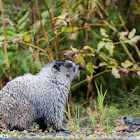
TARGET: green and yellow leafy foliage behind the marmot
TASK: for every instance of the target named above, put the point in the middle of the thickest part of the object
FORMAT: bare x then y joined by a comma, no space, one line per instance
87,23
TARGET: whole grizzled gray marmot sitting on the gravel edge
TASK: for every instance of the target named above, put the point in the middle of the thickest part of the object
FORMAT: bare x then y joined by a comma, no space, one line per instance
37,98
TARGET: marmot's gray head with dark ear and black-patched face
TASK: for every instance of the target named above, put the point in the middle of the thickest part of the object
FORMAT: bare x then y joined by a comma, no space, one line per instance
63,69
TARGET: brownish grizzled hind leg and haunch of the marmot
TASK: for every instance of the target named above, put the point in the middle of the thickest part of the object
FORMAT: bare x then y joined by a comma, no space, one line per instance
18,115
